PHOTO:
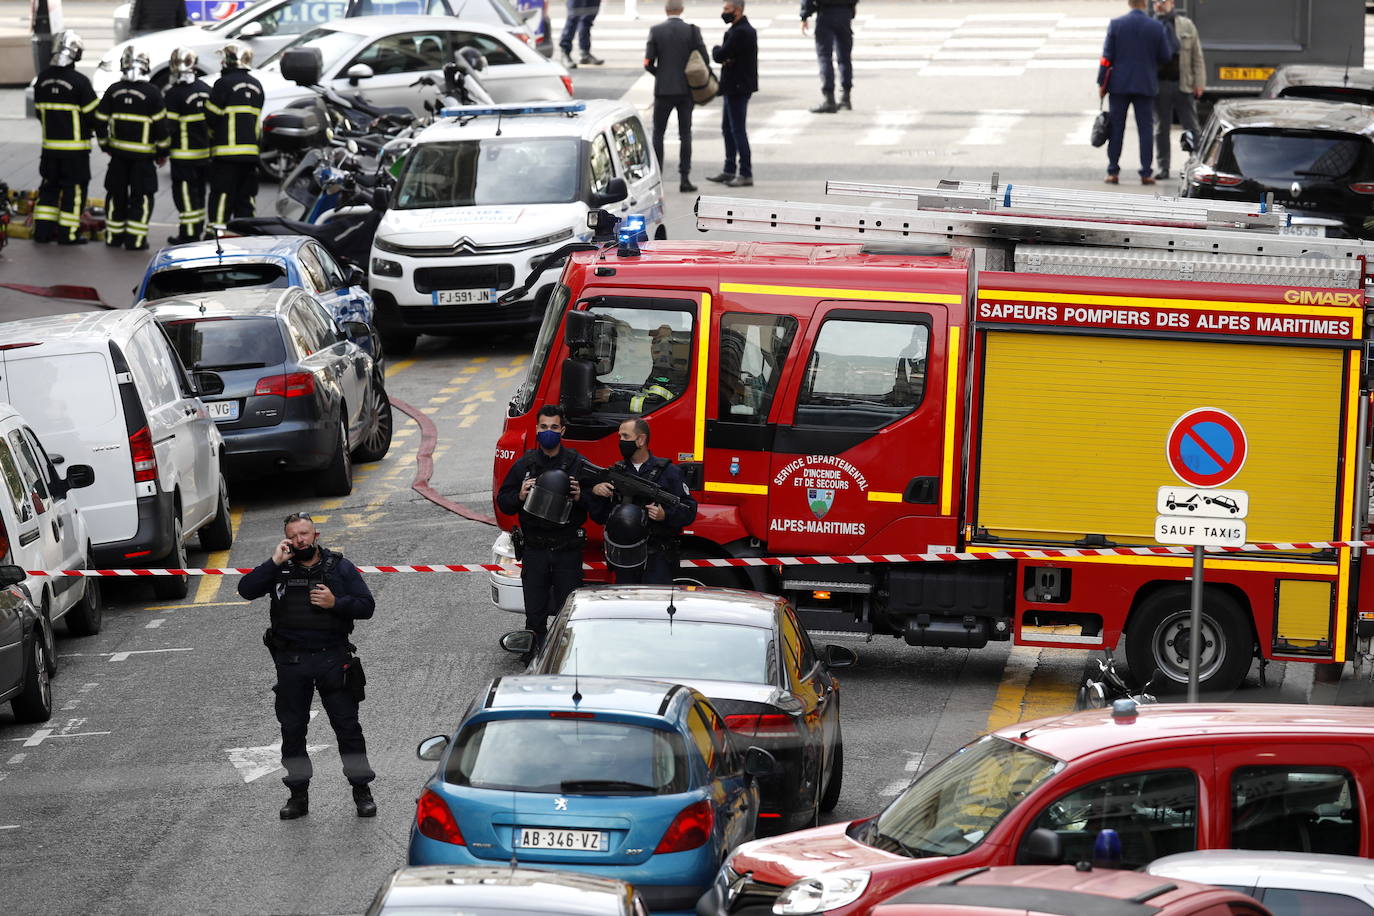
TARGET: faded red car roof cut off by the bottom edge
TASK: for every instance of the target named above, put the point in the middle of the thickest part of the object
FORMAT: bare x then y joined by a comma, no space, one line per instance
1064,891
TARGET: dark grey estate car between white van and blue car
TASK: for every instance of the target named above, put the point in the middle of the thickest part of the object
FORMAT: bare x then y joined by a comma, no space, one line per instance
300,392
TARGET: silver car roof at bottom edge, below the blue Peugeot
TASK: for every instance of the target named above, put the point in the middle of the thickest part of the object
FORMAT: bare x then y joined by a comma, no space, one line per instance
504,892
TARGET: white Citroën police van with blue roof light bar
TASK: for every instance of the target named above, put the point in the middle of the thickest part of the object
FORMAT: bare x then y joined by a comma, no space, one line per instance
487,190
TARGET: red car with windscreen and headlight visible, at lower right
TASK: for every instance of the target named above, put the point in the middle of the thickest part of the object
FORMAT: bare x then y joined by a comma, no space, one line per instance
1167,779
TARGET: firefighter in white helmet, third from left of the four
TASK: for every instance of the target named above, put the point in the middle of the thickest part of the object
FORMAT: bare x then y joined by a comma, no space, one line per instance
190,145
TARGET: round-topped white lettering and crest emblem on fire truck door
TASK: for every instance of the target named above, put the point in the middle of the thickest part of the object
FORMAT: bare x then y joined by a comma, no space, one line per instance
820,491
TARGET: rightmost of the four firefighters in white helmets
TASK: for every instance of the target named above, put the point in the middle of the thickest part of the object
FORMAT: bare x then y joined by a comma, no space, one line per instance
233,112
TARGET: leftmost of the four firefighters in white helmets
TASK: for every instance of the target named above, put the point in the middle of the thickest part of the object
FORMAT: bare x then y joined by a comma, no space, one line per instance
67,106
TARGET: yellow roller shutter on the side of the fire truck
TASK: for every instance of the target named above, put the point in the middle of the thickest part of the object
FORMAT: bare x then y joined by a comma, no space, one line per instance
1074,433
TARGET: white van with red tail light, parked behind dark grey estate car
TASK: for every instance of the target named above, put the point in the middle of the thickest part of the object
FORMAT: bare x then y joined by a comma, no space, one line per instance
106,389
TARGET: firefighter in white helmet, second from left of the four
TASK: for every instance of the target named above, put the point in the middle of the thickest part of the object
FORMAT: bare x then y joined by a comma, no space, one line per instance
131,124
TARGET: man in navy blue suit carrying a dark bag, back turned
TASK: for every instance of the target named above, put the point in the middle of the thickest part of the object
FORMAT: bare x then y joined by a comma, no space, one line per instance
1129,75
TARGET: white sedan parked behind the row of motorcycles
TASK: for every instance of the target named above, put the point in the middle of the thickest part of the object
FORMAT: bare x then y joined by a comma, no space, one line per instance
384,57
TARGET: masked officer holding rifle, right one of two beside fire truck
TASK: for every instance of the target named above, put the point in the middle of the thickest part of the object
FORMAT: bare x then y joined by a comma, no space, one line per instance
652,506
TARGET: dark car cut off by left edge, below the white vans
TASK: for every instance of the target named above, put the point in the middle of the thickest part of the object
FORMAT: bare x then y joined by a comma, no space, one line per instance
24,648
